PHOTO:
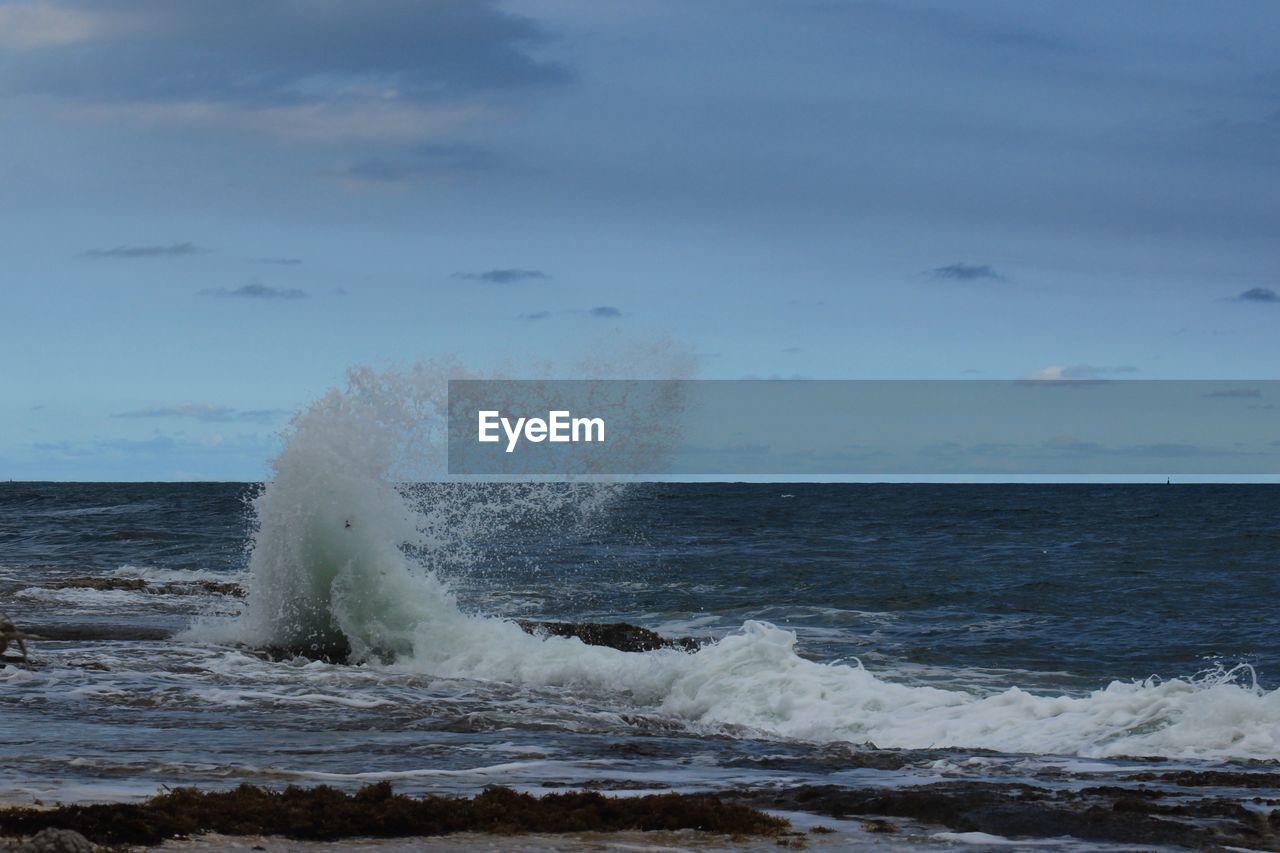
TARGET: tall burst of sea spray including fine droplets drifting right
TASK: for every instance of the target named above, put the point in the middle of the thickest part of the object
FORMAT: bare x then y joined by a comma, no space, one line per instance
358,526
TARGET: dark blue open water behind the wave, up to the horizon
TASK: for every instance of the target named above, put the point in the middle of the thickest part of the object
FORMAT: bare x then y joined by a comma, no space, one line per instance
1090,581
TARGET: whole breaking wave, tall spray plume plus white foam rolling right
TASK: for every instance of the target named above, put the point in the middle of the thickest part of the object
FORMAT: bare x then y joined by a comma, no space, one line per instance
346,555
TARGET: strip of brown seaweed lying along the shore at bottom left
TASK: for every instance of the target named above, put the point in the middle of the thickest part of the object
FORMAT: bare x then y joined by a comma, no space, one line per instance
377,811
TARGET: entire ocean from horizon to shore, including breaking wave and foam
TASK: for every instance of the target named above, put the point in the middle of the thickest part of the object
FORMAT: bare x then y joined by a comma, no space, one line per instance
1052,635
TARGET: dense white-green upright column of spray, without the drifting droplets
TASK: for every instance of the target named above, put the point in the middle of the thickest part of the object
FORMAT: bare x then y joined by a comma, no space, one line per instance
327,568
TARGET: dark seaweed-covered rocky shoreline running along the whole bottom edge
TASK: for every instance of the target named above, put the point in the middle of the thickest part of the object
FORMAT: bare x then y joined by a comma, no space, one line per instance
1203,810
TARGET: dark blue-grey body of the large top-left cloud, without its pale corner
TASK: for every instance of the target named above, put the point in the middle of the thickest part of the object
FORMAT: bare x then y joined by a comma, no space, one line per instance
281,53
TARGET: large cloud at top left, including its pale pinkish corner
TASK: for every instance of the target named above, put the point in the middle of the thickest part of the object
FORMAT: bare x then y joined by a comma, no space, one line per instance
337,67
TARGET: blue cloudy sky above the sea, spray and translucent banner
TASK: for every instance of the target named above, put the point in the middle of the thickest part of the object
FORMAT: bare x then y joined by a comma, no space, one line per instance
212,209
